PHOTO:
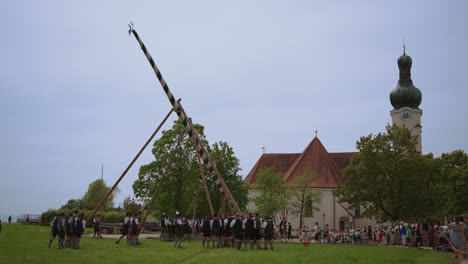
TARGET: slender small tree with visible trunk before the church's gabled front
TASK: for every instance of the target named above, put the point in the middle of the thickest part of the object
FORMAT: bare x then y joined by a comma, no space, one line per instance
300,194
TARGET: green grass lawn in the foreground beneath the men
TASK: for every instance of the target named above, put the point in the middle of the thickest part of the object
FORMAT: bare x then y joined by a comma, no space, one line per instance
28,244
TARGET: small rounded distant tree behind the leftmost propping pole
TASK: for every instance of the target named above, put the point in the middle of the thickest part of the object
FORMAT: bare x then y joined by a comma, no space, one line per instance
97,190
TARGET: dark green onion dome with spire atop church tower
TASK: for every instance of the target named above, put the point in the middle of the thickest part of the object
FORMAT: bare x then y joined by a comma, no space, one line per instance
405,93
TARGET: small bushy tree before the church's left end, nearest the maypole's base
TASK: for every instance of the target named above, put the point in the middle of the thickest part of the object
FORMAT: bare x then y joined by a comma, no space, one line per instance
268,202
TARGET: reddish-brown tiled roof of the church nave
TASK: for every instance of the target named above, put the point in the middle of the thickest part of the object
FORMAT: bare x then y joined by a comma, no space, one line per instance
326,166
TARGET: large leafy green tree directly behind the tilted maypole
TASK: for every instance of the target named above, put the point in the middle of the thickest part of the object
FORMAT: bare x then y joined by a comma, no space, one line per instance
184,175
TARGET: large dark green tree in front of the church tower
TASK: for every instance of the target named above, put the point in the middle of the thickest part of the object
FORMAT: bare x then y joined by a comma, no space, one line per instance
386,177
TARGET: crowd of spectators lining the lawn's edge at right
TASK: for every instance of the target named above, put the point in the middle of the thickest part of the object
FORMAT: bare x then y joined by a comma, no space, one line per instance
444,236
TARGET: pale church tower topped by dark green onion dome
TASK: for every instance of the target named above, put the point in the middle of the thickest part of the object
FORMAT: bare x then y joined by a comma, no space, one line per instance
405,99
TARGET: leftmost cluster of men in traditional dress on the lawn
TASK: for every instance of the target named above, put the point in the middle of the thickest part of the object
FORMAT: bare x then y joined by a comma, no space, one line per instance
68,228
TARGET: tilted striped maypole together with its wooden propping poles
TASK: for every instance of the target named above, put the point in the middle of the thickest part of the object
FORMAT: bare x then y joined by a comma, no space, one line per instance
203,155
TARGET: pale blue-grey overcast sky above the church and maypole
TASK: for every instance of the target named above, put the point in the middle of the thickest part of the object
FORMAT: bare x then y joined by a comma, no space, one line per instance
77,92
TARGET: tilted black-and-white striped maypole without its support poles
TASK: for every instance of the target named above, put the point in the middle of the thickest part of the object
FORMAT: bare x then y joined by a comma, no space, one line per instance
200,148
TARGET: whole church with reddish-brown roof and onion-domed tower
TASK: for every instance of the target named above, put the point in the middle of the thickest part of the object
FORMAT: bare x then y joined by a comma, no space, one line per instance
327,167
